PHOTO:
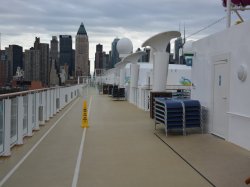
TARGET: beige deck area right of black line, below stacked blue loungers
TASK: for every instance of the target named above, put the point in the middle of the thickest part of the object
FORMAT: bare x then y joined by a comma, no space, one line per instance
223,163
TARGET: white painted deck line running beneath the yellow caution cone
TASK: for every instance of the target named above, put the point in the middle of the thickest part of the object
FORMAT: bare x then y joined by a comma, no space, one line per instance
79,158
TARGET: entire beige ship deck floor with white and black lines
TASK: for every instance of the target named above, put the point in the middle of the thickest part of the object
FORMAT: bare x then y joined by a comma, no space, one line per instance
120,148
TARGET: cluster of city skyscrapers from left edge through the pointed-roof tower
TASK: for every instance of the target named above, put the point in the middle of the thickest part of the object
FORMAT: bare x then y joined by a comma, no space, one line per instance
42,66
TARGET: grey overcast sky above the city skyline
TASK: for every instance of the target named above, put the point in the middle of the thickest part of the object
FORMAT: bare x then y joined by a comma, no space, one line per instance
22,20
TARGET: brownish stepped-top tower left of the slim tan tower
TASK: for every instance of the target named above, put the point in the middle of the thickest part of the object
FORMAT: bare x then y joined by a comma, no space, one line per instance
44,60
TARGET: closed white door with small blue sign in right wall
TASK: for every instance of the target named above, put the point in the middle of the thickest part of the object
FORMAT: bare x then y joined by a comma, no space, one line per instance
221,98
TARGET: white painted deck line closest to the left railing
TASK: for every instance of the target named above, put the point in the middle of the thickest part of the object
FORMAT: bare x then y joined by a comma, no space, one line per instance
34,147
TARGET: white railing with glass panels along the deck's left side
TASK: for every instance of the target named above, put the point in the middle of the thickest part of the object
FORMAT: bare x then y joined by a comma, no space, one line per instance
23,112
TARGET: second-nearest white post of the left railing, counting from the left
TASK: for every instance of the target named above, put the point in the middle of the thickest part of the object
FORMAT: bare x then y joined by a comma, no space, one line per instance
20,116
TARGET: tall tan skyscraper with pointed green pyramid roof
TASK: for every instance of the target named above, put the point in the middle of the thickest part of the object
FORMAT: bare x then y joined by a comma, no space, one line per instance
82,53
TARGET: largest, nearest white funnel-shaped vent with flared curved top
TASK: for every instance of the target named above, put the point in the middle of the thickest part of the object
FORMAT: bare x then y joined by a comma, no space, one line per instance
159,44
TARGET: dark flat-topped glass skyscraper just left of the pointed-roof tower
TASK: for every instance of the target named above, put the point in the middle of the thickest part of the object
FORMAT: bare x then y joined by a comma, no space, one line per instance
65,58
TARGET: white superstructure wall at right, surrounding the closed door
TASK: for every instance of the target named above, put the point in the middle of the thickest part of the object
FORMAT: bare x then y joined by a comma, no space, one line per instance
231,46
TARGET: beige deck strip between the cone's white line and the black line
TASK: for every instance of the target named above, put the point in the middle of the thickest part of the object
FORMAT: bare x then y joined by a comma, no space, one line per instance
122,150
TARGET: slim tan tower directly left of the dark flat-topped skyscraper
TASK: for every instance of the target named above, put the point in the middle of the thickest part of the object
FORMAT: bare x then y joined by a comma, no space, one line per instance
54,53
